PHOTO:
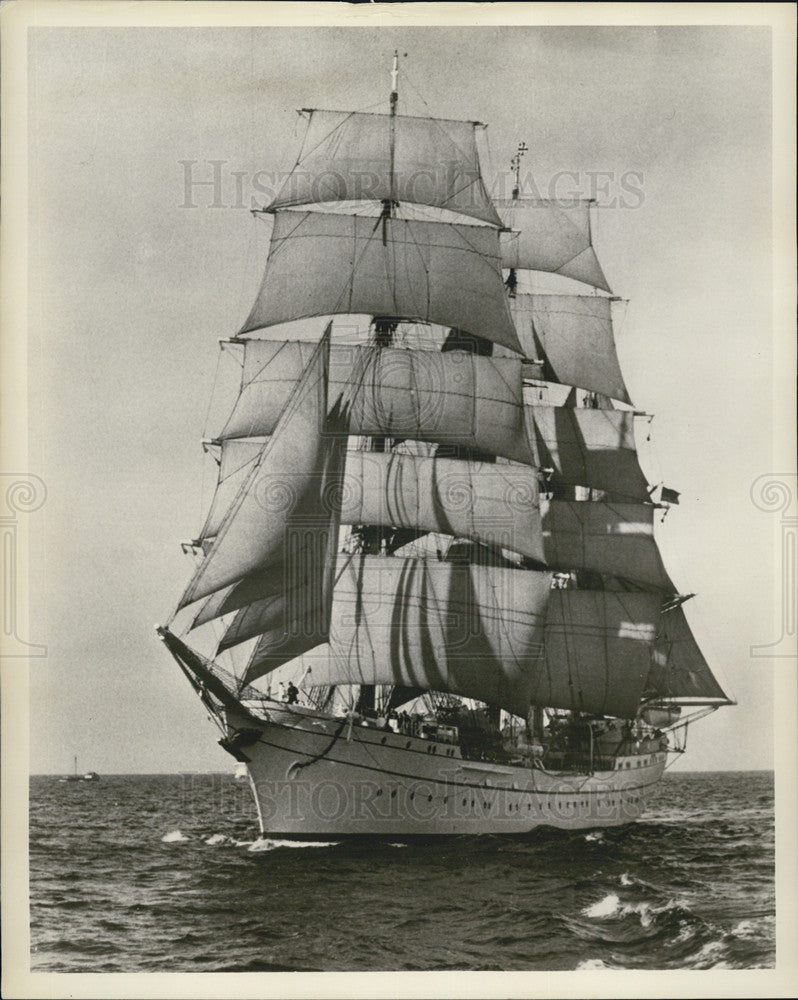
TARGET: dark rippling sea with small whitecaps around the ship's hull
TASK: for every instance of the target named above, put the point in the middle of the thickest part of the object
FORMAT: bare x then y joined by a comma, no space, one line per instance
145,873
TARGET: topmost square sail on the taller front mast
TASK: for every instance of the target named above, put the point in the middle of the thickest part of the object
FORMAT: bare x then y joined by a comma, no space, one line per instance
346,156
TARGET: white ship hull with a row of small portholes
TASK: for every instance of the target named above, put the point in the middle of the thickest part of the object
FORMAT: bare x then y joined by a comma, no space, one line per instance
317,777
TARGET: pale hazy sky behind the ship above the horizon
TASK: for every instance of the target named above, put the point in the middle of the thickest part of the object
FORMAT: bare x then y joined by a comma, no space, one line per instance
129,290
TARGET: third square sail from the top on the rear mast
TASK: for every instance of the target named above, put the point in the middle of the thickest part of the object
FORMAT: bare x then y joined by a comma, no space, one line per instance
585,447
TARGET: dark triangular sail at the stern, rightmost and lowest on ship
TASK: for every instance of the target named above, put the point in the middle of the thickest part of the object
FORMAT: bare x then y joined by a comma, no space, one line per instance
678,668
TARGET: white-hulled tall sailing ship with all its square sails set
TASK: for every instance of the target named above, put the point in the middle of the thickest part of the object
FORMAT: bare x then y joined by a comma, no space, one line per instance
427,596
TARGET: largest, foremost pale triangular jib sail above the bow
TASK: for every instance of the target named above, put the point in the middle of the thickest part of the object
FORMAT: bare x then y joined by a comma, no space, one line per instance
284,496
